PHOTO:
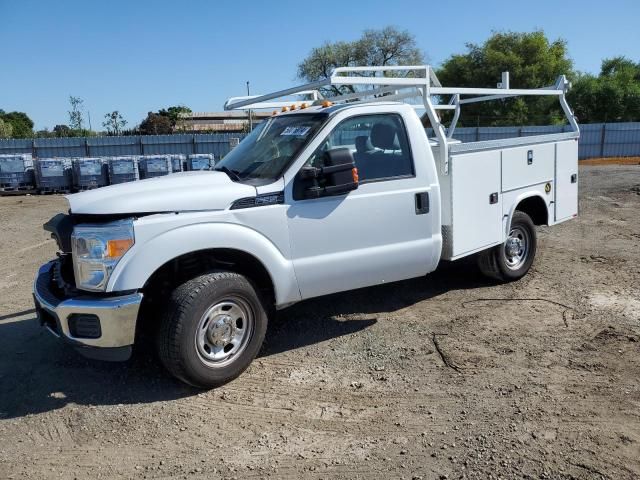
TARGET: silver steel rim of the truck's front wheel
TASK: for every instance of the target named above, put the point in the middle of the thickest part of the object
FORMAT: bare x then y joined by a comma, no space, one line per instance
224,331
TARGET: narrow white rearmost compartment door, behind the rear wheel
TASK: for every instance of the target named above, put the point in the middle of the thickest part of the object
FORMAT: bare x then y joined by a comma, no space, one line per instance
566,181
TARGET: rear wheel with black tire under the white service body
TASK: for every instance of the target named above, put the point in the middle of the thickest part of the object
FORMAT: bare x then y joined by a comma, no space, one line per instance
513,259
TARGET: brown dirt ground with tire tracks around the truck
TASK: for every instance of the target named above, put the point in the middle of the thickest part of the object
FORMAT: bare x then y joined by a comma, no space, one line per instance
447,376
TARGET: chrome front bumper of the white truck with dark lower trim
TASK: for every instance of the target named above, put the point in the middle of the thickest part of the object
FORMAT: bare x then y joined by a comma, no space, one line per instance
101,327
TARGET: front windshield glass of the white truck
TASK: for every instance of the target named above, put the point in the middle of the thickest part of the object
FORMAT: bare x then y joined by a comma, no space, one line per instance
270,148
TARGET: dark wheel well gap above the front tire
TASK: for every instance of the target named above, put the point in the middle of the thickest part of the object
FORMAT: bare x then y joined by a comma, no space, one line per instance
186,267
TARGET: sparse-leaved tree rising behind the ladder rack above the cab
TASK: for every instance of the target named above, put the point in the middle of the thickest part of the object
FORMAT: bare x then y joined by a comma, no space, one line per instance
388,46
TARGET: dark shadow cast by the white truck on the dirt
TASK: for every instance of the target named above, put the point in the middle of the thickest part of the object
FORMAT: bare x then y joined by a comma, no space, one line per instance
39,374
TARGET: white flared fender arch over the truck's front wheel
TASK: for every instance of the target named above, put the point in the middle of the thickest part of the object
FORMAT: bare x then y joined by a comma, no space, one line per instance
142,260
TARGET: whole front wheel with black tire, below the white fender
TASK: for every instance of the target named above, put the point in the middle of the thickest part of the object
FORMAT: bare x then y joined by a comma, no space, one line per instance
212,329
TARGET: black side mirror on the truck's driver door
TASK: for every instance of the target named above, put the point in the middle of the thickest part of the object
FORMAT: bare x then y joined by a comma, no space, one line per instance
339,175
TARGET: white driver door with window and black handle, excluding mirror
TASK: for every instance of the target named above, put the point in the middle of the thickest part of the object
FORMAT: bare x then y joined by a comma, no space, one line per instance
378,233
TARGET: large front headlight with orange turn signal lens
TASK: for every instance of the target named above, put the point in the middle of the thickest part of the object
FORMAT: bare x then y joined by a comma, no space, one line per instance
96,251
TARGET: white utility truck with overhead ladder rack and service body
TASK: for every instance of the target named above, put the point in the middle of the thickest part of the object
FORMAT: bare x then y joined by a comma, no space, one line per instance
324,196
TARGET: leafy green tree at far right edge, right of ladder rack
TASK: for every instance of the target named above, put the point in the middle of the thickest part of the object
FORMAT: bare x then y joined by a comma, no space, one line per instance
612,96
